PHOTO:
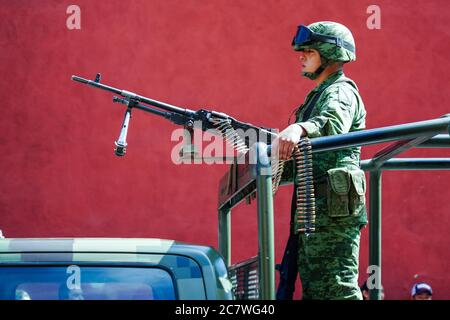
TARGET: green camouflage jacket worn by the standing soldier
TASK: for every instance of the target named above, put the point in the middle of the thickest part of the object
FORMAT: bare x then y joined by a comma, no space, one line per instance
338,110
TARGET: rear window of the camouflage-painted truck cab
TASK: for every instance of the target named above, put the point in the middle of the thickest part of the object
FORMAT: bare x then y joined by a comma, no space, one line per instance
85,283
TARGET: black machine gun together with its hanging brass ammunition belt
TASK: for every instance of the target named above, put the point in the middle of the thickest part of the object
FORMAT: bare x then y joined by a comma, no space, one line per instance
231,130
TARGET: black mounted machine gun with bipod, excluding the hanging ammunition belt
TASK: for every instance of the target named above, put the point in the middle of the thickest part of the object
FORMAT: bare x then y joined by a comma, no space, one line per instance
221,123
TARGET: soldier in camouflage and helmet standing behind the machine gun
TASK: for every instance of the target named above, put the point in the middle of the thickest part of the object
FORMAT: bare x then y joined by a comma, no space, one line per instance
327,260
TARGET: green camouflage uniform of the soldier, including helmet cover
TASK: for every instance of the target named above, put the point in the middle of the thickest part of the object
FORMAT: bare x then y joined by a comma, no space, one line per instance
328,259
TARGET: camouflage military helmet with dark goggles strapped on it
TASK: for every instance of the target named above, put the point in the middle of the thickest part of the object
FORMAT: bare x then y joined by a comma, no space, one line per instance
333,40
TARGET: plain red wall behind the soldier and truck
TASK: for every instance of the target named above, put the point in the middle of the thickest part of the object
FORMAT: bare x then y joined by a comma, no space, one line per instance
60,177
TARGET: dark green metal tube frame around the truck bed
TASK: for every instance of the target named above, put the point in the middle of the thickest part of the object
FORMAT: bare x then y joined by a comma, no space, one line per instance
424,134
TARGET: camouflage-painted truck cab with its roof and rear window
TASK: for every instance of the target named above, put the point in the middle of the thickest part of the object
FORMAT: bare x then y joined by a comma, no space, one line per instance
110,269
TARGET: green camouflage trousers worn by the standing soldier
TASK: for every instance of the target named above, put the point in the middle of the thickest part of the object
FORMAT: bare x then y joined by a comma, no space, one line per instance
328,263
